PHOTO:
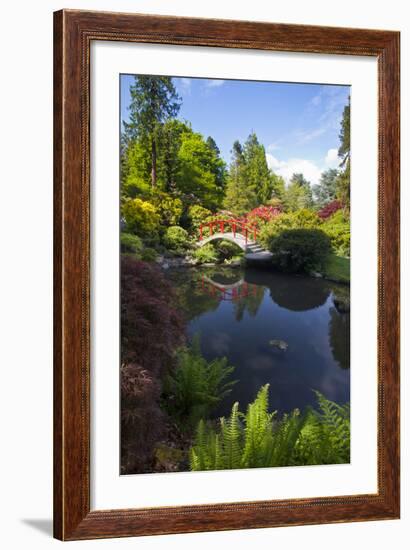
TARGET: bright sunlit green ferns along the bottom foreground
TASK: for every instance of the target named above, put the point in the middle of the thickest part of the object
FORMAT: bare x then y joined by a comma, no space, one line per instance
259,439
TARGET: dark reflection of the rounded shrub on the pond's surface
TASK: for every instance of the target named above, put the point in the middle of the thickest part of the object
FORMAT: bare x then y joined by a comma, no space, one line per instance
289,291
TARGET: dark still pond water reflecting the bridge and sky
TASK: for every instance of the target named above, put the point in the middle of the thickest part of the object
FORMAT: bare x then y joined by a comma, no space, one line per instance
251,316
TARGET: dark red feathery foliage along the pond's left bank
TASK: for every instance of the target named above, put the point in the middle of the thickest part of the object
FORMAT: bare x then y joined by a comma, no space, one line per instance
151,329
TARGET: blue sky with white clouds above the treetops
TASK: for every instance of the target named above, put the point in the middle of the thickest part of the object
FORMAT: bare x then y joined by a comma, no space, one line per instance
298,124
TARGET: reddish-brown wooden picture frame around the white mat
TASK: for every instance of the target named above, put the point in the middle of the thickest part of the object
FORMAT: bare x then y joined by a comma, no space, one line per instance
73,33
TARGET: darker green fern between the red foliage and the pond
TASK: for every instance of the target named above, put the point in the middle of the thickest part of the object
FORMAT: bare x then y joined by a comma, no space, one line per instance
196,386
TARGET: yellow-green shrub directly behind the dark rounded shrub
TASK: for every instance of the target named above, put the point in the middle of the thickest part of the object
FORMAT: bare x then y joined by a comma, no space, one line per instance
301,219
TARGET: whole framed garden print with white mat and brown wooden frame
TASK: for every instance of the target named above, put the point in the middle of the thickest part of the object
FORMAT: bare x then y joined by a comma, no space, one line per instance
226,275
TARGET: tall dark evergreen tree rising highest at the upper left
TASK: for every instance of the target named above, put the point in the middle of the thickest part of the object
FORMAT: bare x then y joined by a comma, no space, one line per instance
153,101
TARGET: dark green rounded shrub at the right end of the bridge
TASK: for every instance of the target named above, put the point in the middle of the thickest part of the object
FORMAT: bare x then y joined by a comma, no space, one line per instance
300,250
